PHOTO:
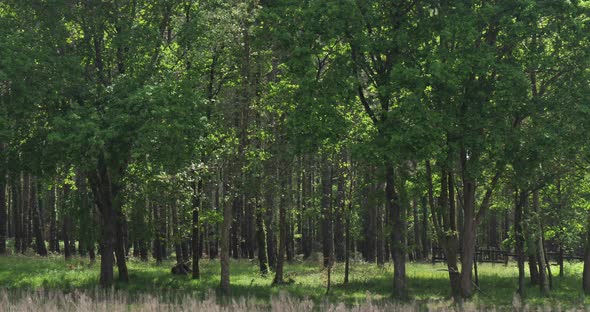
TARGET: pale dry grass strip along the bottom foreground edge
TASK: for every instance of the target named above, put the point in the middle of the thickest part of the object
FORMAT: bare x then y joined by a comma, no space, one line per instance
117,301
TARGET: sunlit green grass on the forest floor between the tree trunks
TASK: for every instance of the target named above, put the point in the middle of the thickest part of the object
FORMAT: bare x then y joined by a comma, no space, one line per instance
428,283
